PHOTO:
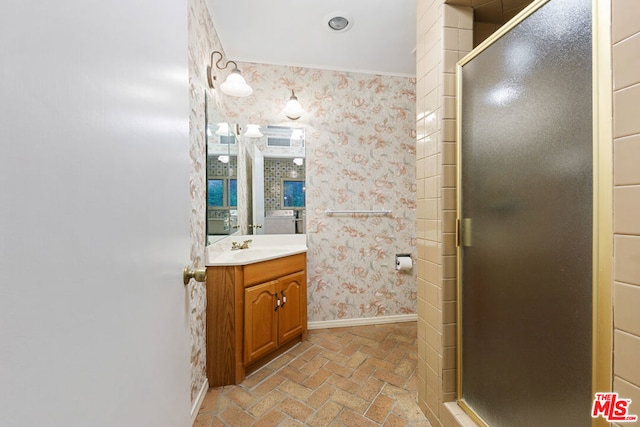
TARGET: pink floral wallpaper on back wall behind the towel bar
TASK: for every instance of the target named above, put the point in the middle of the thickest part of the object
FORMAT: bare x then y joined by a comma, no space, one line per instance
360,154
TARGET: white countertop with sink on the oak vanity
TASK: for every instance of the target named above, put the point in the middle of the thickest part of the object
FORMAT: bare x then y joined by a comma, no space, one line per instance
263,247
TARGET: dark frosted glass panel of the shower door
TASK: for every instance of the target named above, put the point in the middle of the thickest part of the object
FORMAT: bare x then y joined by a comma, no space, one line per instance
526,217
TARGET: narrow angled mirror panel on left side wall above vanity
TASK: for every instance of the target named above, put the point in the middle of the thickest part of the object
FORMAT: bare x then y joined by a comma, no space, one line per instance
221,166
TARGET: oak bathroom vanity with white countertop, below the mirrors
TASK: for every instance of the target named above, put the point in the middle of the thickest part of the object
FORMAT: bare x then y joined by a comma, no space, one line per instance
256,304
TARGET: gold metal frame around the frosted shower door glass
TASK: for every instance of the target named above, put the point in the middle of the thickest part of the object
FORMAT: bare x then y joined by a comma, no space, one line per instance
602,249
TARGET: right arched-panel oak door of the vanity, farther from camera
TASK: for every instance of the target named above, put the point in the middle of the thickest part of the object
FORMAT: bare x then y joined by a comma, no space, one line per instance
292,290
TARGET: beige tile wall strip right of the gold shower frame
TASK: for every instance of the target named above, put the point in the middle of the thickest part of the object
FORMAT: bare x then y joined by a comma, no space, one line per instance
626,200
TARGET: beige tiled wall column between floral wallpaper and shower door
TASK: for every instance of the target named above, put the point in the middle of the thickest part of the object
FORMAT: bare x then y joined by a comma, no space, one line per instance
445,35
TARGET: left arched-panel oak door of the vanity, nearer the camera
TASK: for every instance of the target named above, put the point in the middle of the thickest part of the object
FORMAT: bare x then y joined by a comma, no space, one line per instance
260,320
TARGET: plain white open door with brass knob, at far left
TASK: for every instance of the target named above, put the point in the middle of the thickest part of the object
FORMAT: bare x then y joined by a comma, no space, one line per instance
94,216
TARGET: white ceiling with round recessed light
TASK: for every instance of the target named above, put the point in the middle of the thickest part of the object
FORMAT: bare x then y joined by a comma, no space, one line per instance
381,39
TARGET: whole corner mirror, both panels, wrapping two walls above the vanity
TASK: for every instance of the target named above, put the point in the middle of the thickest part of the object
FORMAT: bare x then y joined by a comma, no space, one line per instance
255,181
